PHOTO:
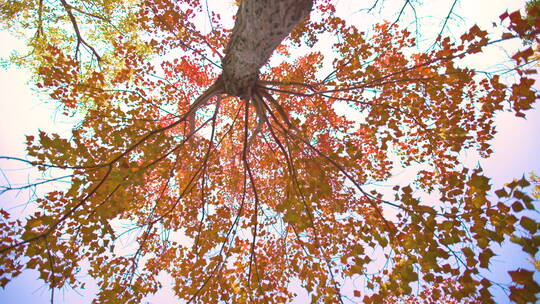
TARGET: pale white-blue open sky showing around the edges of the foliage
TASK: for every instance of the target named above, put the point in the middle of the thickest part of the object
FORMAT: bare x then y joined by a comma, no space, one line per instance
24,112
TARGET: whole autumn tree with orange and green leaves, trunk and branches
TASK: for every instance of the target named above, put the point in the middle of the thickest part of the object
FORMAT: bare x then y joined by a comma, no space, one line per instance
238,176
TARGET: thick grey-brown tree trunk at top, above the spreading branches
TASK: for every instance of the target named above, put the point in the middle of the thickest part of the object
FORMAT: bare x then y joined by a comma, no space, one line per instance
260,27
